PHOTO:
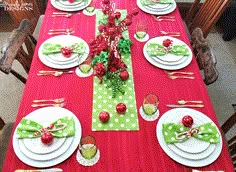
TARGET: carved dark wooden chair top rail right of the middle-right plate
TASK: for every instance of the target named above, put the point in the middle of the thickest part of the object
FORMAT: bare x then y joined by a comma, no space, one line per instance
205,58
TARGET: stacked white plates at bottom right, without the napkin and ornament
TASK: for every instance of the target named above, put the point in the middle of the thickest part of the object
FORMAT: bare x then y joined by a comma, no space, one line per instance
197,154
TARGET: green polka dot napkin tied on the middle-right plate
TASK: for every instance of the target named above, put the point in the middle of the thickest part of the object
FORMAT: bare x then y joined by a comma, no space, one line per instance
155,49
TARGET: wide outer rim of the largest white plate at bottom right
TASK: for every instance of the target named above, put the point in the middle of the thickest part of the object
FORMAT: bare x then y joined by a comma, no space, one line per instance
200,161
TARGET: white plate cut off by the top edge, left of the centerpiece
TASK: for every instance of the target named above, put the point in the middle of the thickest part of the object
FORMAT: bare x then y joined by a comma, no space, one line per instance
66,7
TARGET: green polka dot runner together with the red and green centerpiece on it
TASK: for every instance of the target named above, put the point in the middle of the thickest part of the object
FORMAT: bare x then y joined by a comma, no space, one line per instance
114,103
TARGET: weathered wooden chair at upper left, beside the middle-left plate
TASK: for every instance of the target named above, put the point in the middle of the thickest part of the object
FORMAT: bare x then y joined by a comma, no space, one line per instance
20,46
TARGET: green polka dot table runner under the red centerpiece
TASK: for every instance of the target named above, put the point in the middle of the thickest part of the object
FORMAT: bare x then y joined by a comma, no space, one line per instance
103,100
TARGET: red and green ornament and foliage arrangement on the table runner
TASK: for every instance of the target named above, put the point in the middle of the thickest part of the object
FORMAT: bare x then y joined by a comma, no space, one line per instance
109,46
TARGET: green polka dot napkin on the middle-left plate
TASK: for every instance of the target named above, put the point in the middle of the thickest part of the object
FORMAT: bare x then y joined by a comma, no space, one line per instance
52,48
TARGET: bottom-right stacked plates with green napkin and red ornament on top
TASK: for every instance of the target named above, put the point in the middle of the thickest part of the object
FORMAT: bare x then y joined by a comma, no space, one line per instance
189,137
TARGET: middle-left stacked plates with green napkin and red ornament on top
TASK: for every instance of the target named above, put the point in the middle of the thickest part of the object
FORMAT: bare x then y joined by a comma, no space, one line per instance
63,52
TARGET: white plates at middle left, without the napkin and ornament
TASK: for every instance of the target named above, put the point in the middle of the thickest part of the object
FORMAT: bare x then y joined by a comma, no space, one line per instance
64,40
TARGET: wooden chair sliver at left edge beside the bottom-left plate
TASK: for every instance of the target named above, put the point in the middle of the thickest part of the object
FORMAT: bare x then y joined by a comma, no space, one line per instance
5,134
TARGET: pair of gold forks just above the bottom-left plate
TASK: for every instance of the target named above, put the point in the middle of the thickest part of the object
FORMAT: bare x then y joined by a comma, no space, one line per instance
59,102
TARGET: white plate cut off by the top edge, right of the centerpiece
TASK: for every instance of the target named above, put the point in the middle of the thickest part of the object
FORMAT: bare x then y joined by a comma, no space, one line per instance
157,12
